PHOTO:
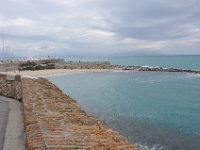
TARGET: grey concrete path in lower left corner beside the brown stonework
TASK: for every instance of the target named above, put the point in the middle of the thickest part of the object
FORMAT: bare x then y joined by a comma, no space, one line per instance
11,125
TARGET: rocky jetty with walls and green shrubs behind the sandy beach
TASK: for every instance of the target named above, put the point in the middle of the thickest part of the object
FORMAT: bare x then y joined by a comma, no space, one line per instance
61,64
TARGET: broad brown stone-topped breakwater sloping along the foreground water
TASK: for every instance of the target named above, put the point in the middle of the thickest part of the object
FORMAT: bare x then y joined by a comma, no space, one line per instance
53,120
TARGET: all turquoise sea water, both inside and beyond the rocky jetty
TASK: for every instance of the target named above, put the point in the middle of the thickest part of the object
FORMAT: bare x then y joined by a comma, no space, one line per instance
154,110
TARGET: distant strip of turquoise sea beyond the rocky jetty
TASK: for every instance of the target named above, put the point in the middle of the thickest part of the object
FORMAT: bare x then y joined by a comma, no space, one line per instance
180,62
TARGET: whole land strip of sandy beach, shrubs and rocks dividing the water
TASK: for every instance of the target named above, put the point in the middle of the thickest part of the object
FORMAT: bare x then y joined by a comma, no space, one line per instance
57,66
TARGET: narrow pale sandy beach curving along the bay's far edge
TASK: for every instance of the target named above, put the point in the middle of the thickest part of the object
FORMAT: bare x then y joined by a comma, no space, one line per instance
42,73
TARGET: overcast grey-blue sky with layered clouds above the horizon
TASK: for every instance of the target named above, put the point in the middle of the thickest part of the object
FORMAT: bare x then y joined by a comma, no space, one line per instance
100,27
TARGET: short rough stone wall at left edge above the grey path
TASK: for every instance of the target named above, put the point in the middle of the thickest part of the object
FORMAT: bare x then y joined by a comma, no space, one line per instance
10,86
